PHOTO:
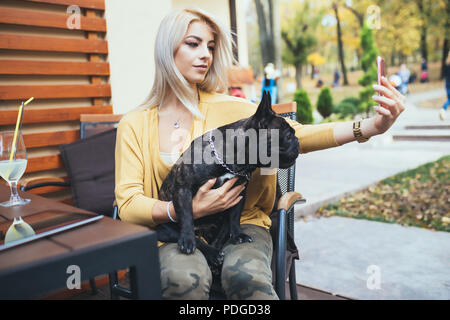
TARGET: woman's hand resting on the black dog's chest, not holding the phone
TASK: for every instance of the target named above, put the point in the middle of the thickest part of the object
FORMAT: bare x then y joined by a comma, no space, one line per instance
209,201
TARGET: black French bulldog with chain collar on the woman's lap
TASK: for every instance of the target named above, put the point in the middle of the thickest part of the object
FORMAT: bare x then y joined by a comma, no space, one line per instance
188,175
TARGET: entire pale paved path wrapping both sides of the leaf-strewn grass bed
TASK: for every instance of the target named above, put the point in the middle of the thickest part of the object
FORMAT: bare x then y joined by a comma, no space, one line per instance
337,251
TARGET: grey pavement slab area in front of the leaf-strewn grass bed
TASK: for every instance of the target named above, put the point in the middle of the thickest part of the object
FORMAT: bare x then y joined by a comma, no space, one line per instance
373,260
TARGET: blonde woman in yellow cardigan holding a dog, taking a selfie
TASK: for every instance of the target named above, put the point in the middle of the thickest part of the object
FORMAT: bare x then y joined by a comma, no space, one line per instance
192,54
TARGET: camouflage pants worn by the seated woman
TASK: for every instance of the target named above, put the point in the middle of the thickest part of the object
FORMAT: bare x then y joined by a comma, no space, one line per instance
246,272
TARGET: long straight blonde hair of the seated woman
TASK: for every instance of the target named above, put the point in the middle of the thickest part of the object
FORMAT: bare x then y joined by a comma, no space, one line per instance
167,76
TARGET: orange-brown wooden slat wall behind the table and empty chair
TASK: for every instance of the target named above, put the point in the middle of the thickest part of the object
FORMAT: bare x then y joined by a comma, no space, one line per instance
45,126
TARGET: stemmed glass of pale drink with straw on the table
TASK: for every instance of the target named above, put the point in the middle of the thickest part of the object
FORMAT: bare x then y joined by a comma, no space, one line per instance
13,162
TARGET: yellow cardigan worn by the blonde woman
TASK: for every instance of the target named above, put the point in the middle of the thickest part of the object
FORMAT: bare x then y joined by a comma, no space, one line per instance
140,170
